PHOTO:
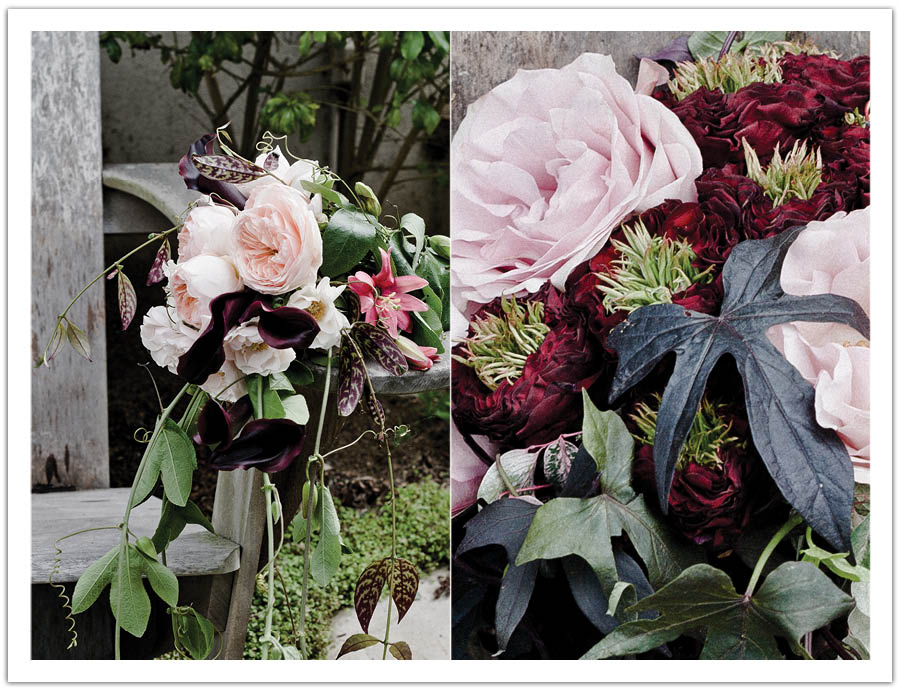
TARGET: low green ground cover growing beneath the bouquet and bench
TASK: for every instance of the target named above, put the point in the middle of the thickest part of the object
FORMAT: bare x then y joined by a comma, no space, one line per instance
423,537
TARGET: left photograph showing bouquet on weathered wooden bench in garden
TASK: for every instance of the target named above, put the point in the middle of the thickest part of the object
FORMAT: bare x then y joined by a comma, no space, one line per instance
240,317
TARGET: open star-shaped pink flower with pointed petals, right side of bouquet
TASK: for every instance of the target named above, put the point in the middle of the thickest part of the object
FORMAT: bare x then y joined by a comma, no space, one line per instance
385,299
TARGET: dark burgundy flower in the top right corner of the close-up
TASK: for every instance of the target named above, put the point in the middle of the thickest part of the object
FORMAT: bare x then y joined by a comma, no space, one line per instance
845,82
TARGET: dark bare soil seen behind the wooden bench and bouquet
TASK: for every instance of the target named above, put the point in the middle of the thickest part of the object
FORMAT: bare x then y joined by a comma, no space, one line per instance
357,477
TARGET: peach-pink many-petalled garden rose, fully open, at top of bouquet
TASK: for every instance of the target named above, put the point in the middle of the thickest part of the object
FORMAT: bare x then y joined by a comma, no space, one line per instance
277,243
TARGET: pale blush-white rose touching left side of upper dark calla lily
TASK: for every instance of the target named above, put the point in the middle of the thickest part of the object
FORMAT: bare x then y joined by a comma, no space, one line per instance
194,283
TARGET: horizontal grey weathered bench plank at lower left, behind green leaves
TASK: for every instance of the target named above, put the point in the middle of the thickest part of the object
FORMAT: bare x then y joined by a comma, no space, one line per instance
53,515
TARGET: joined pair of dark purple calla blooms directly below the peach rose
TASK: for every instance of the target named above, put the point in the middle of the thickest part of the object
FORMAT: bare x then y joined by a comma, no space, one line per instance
281,327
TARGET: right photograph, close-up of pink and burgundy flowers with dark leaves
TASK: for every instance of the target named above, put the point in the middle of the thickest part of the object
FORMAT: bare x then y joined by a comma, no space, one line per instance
660,327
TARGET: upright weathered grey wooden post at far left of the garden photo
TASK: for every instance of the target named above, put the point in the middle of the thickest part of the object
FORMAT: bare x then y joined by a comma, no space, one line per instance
69,443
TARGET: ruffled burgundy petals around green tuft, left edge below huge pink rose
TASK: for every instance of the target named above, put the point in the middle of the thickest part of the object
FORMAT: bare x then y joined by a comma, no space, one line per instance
545,401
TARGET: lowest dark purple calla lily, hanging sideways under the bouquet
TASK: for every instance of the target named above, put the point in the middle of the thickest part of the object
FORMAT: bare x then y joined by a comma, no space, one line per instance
267,445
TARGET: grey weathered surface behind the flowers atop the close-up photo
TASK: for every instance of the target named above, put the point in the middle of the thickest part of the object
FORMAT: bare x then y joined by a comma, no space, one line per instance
483,59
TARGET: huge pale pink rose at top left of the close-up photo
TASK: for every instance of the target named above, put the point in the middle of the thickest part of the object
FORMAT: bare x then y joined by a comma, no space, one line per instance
547,164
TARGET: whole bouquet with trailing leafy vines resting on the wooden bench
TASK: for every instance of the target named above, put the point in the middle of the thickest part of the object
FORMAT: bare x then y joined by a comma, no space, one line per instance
282,271
